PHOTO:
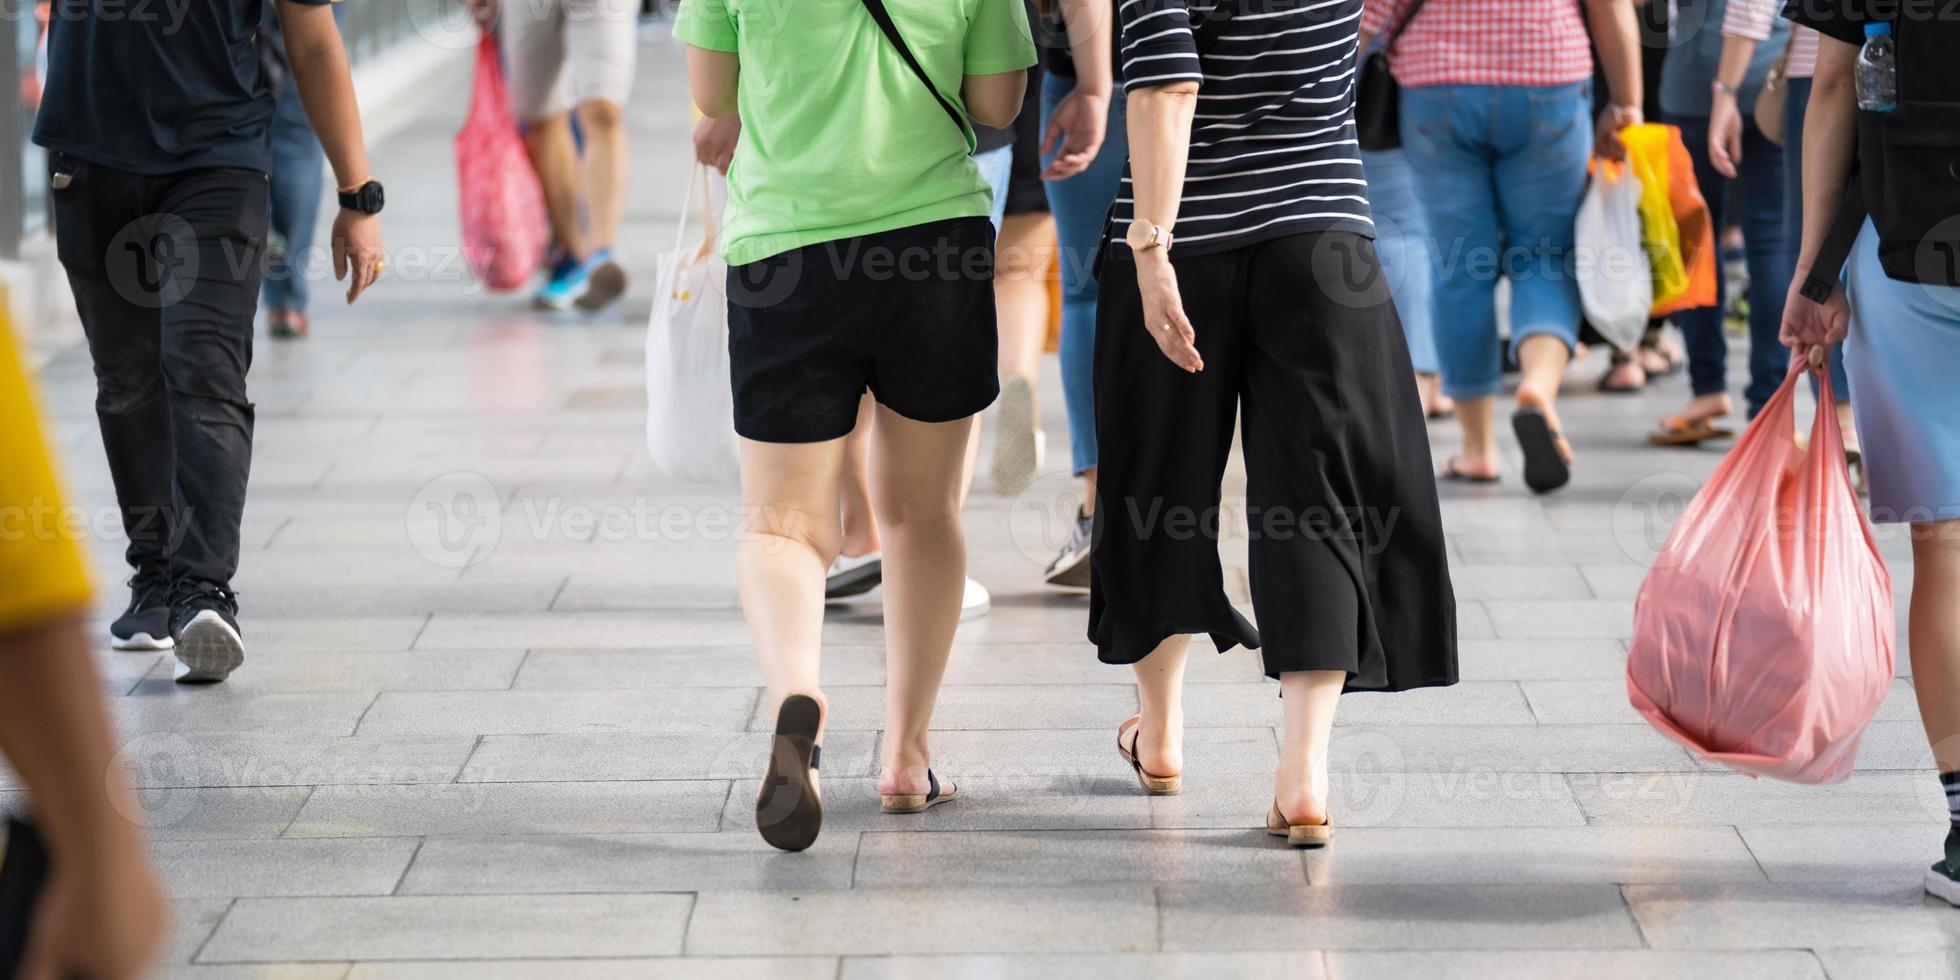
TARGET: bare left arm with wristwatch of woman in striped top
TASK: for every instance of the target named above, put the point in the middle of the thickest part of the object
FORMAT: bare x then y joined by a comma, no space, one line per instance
1159,150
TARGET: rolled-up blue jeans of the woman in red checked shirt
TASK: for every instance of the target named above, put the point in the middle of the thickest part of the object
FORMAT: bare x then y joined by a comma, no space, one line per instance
1504,170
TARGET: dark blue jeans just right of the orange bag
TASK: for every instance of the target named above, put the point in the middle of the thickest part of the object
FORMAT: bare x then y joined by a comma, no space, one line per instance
1769,266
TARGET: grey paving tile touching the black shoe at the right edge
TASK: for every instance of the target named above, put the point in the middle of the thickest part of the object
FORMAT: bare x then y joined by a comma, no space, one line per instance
1883,854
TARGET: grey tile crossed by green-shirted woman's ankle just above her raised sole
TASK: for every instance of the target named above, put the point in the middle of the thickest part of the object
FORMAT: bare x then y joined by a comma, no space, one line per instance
683,667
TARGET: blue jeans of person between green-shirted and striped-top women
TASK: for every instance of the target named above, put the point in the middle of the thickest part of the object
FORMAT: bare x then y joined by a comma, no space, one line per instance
1081,209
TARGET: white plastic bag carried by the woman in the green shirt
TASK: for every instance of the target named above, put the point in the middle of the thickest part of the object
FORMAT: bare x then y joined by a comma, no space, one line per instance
691,411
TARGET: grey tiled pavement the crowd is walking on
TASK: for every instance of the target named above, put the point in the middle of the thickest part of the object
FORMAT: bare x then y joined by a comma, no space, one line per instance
542,758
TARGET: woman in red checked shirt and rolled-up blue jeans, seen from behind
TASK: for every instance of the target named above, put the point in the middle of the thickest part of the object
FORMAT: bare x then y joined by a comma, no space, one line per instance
1494,105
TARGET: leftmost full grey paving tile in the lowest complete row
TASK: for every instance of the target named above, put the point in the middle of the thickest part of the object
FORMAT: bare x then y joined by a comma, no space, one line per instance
279,930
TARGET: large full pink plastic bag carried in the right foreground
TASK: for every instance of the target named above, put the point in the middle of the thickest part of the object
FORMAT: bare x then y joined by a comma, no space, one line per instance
1763,638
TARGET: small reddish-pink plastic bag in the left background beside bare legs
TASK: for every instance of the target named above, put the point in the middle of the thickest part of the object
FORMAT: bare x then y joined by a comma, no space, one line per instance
505,228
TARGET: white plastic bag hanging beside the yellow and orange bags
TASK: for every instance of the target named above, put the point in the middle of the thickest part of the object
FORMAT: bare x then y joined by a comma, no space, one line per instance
1614,273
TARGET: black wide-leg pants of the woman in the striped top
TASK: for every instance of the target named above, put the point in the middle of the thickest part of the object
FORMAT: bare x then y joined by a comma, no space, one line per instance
1302,346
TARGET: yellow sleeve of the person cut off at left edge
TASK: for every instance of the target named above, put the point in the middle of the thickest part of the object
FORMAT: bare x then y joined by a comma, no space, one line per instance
42,567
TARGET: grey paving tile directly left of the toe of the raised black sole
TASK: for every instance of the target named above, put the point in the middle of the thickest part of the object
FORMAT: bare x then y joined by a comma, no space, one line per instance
475,808
